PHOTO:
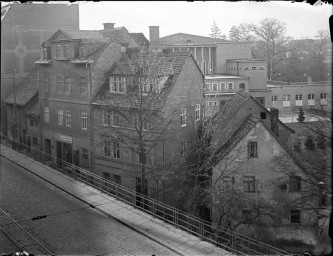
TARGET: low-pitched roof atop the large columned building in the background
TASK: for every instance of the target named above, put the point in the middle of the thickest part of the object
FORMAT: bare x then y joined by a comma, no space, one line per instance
188,39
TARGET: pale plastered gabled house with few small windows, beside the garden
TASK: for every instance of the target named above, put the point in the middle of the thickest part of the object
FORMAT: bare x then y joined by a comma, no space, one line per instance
254,175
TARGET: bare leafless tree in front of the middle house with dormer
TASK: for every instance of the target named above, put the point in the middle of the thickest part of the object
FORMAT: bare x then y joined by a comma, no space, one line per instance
136,118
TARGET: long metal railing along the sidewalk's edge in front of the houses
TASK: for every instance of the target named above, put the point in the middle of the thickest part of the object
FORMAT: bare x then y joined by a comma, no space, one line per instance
230,241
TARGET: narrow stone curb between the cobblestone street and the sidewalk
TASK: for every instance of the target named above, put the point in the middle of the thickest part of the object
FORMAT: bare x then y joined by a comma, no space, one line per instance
92,206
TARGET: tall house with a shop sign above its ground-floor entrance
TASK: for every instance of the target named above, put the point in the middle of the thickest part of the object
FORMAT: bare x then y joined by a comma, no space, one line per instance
71,71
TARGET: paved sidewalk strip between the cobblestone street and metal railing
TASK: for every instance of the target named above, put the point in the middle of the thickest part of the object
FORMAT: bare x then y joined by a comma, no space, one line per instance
181,242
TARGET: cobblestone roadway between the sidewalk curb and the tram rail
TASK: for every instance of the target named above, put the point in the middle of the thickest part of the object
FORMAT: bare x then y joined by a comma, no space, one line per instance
70,226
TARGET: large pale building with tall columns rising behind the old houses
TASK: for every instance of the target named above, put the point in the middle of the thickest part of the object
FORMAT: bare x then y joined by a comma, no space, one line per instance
225,63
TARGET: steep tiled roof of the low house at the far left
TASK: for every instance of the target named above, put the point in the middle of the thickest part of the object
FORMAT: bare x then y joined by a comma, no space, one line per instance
26,90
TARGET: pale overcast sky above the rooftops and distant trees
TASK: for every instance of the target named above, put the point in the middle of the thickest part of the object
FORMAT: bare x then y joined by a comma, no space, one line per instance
302,20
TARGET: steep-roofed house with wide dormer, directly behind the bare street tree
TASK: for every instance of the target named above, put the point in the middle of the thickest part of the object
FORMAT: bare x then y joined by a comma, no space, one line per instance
145,120
